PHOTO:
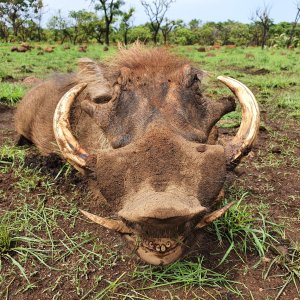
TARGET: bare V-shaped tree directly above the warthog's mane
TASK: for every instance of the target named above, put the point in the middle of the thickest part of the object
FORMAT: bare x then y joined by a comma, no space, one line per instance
156,12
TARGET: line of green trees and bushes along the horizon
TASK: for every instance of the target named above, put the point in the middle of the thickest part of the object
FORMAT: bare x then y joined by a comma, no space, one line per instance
20,20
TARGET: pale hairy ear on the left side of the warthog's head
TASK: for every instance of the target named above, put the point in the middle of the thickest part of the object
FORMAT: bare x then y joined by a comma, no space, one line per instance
93,73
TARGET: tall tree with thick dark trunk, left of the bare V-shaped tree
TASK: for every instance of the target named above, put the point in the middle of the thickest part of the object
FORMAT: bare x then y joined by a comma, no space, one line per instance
111,9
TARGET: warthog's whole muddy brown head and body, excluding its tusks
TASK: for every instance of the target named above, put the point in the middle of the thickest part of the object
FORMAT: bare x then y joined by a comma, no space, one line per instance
162,171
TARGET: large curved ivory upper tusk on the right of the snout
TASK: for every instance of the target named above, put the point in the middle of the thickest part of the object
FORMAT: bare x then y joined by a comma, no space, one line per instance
242,143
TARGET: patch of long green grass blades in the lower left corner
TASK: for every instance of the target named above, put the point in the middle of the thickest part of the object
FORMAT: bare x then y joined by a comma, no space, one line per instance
27,242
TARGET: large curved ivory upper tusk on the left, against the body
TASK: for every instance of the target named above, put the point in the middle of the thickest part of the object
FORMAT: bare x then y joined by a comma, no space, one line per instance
66,142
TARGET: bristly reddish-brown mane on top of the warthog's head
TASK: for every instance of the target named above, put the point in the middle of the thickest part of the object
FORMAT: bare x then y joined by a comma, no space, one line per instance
151,60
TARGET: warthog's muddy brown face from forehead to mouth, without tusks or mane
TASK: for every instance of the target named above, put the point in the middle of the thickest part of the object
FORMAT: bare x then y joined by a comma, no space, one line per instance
161,183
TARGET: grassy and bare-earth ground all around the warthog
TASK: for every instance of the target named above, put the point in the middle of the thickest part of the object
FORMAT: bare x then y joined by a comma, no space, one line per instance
49,251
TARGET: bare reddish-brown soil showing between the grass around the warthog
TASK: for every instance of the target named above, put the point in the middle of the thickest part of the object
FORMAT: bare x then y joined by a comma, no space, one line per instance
278,186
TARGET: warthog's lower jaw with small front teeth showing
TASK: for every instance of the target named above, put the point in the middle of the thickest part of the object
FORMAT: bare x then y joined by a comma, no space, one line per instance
158,251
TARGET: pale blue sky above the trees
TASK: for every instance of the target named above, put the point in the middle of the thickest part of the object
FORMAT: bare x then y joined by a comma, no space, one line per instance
205,10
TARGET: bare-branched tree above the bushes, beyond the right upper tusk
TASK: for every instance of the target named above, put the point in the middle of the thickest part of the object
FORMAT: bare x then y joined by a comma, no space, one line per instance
263,20
